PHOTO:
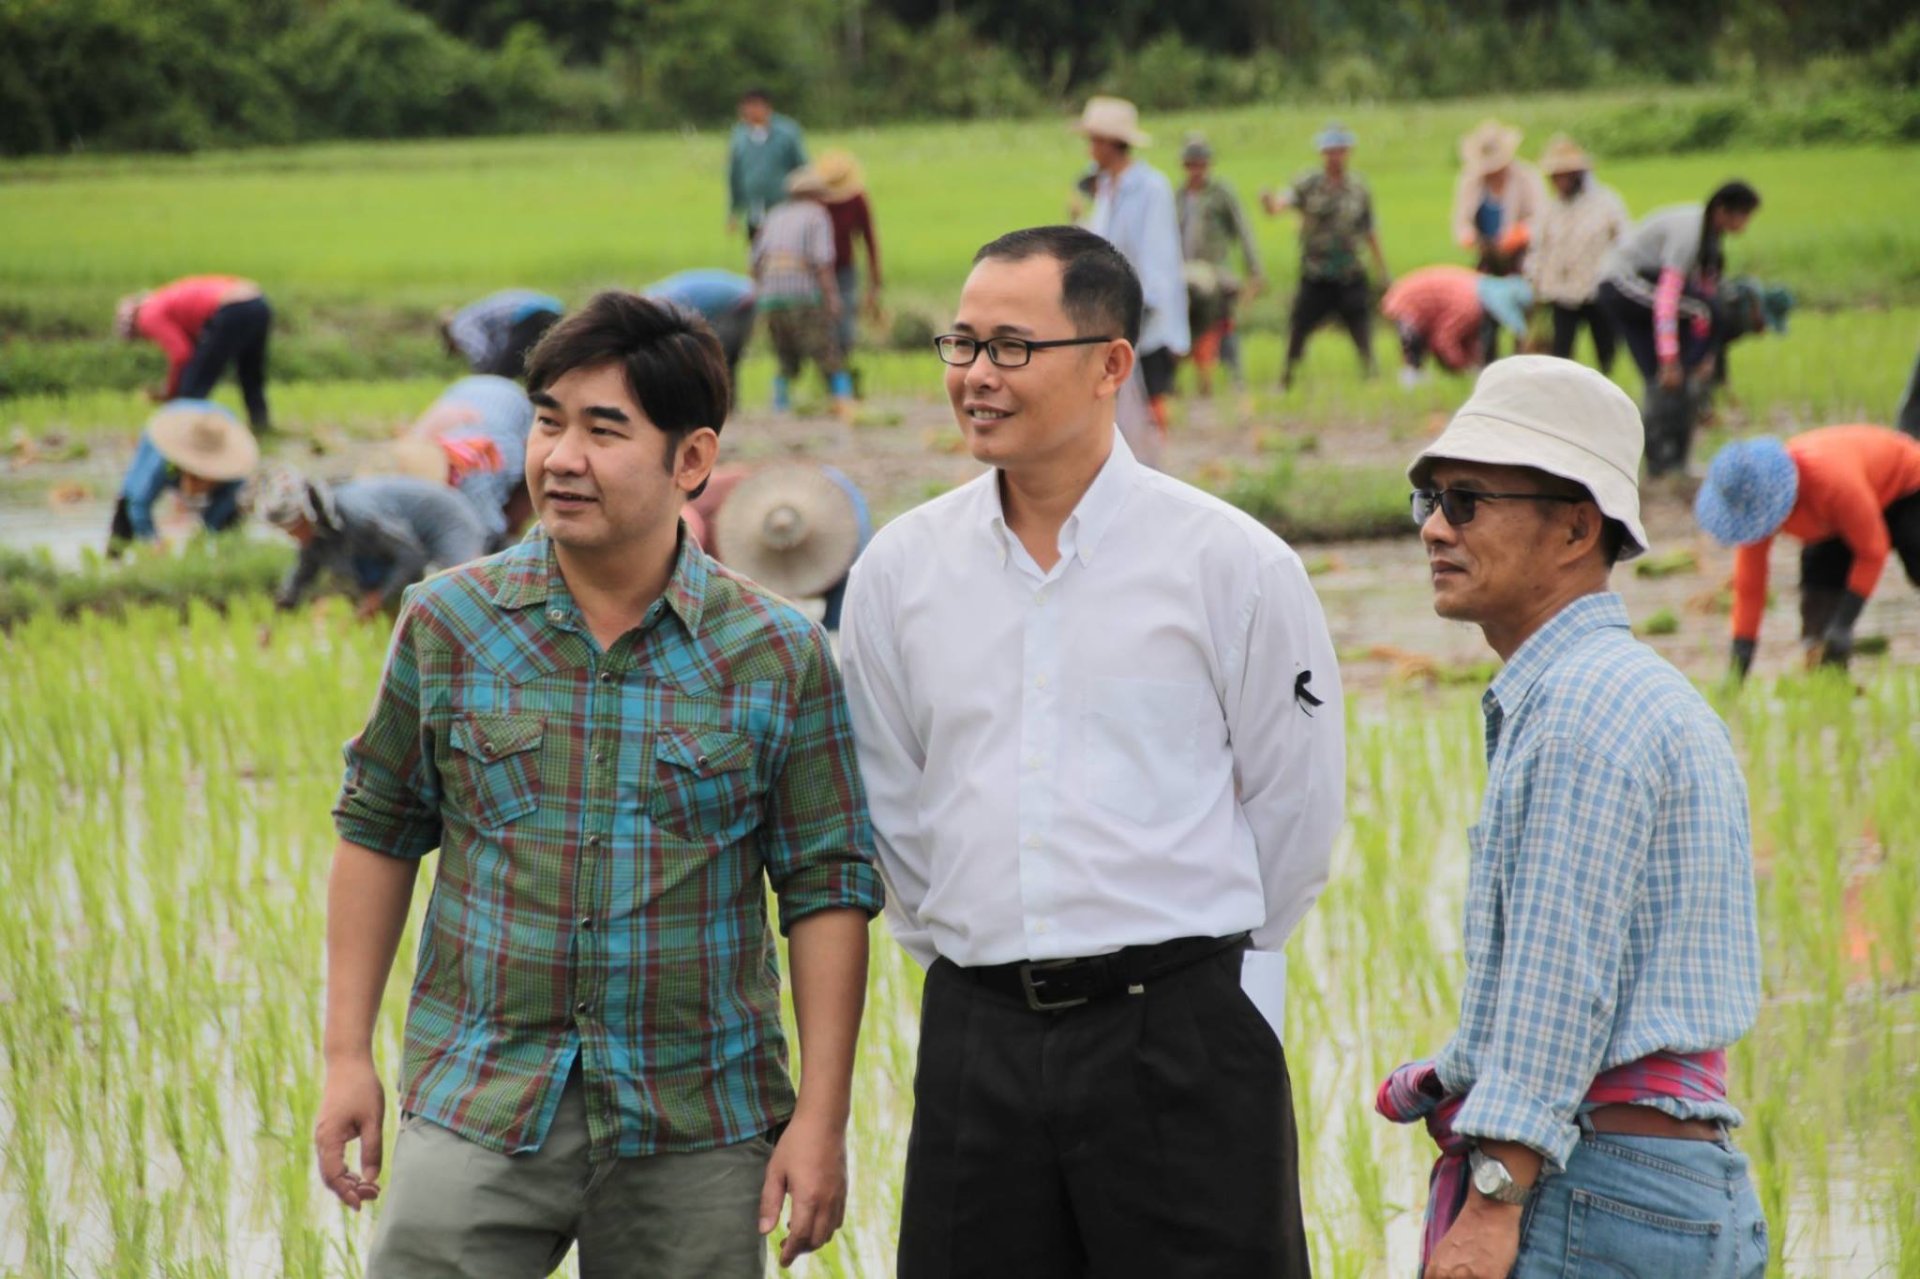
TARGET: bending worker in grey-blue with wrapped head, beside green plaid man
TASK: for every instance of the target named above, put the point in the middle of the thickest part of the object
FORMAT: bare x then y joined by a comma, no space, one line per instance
377,535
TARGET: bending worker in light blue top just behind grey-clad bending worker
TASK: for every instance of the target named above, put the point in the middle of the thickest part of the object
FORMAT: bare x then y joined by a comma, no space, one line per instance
475,439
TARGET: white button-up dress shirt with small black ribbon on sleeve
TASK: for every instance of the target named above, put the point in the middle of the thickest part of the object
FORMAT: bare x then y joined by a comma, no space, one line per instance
1143,742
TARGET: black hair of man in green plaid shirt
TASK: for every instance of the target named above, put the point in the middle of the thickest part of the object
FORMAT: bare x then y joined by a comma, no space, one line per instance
673,362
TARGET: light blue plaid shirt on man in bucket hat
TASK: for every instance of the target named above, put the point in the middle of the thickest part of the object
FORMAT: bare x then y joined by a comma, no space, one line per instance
1610,907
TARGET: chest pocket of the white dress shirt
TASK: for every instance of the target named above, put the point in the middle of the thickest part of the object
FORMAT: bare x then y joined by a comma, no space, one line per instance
1145,742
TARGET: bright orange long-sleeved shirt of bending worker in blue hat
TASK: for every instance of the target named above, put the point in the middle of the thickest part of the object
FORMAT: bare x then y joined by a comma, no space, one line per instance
1848,479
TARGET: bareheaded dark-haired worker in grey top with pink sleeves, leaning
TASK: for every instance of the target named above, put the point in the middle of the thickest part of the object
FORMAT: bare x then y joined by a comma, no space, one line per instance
1658,287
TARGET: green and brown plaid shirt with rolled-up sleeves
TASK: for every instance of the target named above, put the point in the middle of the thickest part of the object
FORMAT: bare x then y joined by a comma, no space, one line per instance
604,825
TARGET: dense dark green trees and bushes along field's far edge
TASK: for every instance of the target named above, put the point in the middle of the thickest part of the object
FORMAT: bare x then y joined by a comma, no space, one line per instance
197,74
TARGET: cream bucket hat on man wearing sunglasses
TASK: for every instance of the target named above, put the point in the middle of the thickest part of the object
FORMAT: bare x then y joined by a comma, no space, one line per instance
1560,418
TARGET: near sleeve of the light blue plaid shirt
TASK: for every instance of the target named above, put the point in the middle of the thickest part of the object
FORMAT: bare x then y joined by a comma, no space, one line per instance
1577,829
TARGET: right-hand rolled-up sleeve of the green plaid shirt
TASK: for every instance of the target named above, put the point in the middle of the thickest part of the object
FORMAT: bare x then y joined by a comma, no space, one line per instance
819,840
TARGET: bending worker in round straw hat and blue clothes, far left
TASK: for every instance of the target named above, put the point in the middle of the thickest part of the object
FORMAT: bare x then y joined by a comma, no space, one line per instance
195,448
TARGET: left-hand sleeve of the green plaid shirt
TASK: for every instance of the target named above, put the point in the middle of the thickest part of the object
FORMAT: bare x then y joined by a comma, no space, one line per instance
391,794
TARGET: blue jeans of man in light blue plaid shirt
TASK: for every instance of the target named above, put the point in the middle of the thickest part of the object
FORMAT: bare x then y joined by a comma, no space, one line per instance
1646,1209
